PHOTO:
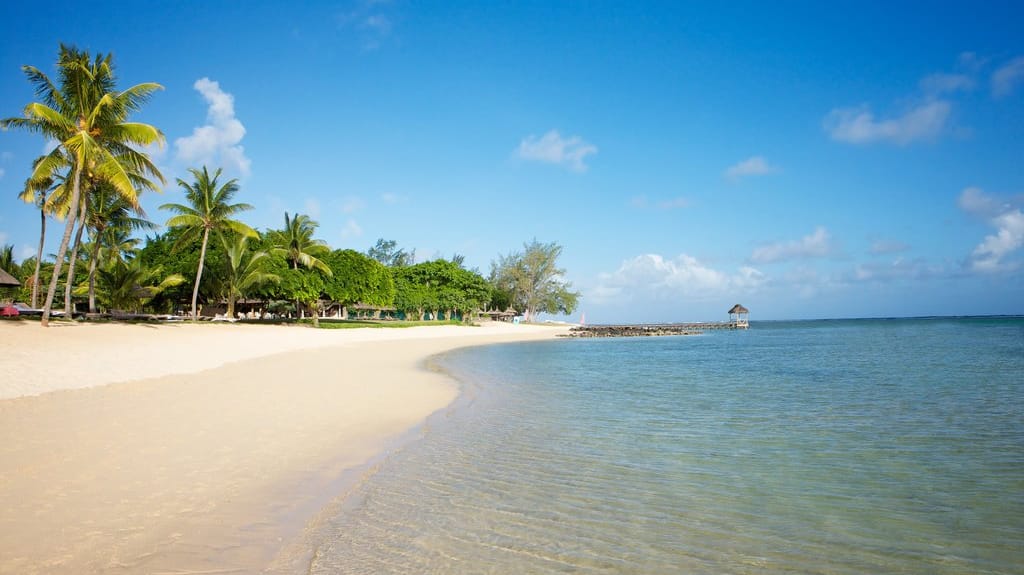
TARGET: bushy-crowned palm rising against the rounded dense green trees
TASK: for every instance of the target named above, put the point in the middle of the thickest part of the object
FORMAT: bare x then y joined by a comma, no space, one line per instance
296,245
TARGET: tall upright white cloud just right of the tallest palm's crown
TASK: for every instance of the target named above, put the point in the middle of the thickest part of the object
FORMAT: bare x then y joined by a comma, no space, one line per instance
219,144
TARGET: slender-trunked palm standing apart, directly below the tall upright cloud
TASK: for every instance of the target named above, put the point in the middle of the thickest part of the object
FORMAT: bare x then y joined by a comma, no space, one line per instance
209,210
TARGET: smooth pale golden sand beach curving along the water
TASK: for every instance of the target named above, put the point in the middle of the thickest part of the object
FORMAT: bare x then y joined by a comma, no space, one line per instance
199,449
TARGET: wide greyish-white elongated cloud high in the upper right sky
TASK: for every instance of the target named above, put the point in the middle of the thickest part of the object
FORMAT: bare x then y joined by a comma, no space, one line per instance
859,125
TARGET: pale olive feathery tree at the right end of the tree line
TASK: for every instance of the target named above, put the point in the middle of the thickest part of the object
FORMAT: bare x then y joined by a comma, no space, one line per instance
534,282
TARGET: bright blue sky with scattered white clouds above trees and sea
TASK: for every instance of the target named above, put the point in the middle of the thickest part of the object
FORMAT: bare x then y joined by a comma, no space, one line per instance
806,160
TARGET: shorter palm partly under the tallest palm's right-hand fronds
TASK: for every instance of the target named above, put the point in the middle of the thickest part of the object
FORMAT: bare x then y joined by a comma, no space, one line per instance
108,216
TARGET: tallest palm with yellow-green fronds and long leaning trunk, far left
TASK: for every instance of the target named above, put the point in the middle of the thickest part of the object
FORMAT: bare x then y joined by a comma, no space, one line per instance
89,119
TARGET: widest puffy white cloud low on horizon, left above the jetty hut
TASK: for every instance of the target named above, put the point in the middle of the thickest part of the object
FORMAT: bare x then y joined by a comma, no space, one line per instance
651,278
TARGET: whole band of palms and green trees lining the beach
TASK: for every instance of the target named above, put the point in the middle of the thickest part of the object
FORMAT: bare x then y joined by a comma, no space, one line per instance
207,261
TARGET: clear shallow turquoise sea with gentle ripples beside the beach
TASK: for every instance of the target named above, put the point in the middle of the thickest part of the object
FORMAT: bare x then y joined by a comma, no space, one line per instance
846,447
